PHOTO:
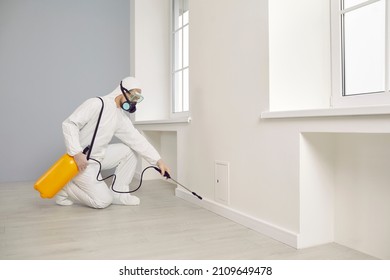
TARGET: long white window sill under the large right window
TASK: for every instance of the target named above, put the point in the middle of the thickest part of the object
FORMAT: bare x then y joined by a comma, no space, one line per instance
329,112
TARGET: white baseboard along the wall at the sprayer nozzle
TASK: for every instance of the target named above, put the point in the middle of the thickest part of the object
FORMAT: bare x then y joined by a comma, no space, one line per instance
272,231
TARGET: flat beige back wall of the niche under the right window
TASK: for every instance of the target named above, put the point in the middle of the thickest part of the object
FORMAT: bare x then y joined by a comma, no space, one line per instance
363,193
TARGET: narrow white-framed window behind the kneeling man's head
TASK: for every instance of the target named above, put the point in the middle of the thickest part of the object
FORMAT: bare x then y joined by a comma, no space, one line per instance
180,63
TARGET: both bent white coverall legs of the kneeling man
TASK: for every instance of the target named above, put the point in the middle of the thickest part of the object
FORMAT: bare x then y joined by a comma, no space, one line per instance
85,189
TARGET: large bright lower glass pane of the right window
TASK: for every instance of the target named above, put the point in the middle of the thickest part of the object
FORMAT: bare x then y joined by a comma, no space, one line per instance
364,50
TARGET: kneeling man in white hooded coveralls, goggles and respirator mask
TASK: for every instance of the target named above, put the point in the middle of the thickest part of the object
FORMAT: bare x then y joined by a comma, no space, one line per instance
78,130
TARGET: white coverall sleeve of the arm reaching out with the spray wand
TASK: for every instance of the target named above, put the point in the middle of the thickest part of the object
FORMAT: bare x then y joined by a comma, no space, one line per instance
130,136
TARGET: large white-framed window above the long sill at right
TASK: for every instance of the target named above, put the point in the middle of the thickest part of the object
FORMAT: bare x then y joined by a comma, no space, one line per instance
360,53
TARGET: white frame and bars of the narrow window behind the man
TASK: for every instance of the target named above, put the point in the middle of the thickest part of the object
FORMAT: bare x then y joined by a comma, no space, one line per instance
173,31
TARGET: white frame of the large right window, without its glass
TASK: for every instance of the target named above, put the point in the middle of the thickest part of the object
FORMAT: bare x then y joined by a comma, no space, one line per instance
338,99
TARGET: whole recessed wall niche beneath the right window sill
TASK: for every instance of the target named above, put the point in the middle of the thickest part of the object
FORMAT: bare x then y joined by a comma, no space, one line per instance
344,191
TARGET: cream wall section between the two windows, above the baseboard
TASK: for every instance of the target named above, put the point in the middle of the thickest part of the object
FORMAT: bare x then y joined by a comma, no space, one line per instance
229,89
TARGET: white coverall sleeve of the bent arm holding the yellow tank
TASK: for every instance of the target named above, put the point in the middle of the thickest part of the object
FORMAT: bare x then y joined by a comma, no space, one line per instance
75,122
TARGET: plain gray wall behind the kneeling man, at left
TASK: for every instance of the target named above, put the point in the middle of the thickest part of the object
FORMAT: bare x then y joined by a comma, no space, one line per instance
54,54
